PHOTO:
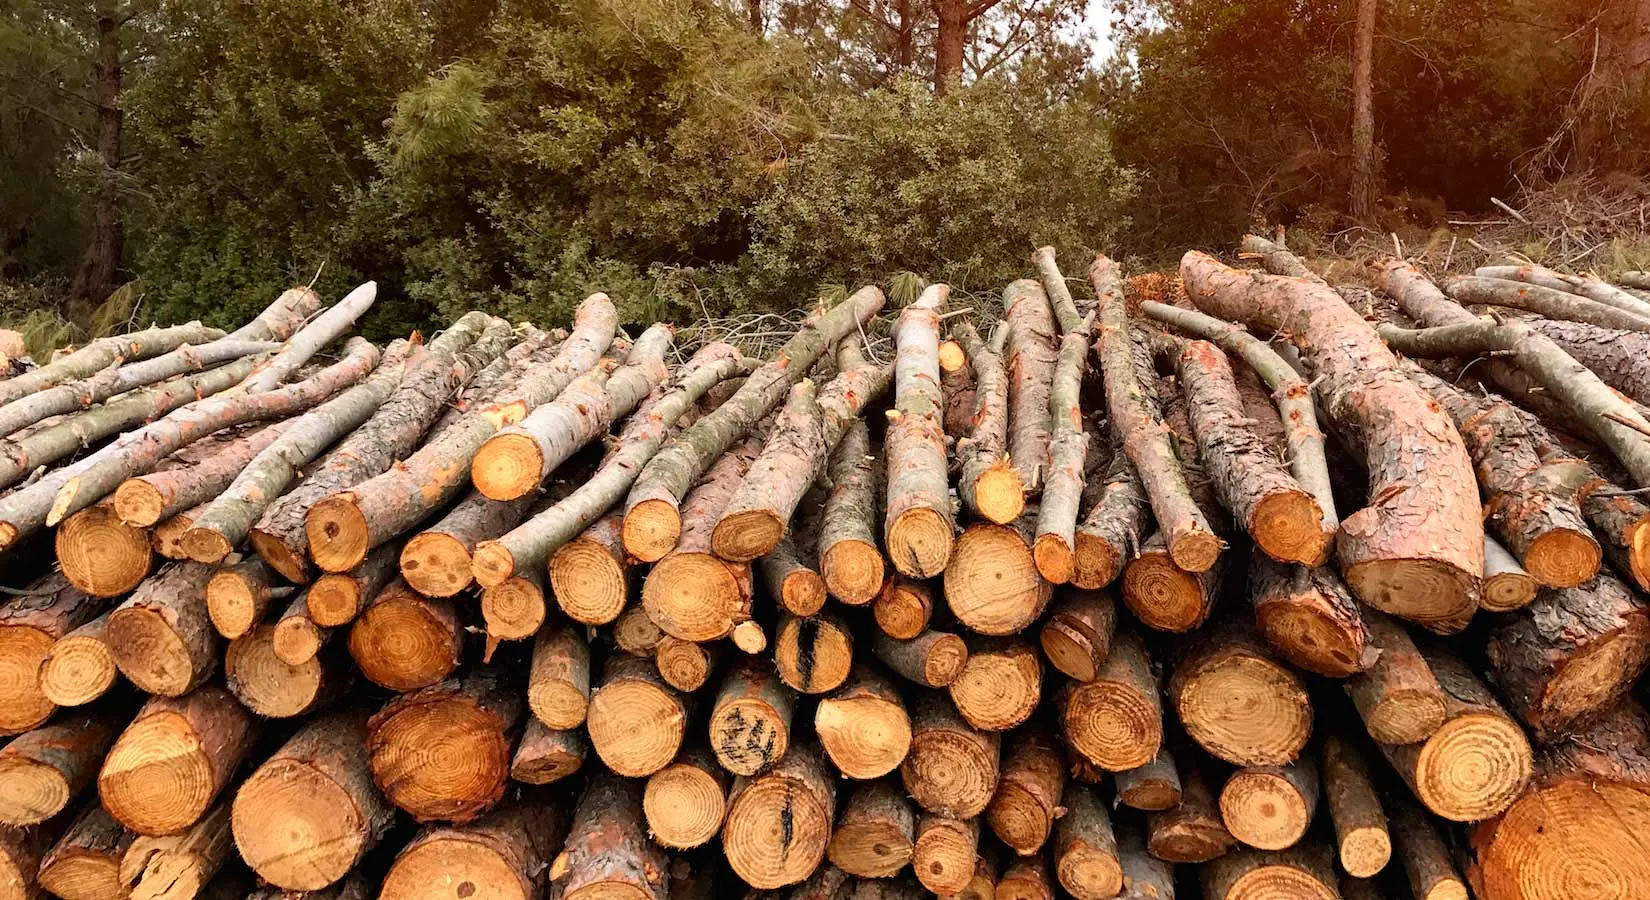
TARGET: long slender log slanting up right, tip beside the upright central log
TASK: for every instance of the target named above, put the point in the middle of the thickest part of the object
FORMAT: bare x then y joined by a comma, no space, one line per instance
653,511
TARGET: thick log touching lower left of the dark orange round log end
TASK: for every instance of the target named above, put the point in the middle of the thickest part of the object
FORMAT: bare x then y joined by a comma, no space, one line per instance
311,812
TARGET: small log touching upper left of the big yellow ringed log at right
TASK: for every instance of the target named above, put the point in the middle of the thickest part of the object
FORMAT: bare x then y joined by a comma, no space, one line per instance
1398,698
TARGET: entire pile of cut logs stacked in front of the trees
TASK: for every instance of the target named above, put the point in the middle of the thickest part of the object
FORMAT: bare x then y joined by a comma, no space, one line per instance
1128,592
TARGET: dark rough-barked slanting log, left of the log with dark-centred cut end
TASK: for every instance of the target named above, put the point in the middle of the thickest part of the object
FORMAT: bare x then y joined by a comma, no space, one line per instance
435,372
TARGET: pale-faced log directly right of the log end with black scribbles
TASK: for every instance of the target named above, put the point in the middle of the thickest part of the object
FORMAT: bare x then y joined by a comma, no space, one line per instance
864,726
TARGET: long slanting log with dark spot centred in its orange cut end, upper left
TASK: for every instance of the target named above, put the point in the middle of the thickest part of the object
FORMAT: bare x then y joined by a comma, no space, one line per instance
346,526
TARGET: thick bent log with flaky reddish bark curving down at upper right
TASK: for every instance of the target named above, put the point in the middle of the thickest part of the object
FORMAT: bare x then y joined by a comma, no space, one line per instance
1418,551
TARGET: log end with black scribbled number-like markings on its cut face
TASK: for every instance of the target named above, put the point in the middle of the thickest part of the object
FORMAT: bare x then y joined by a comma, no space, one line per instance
752,719
